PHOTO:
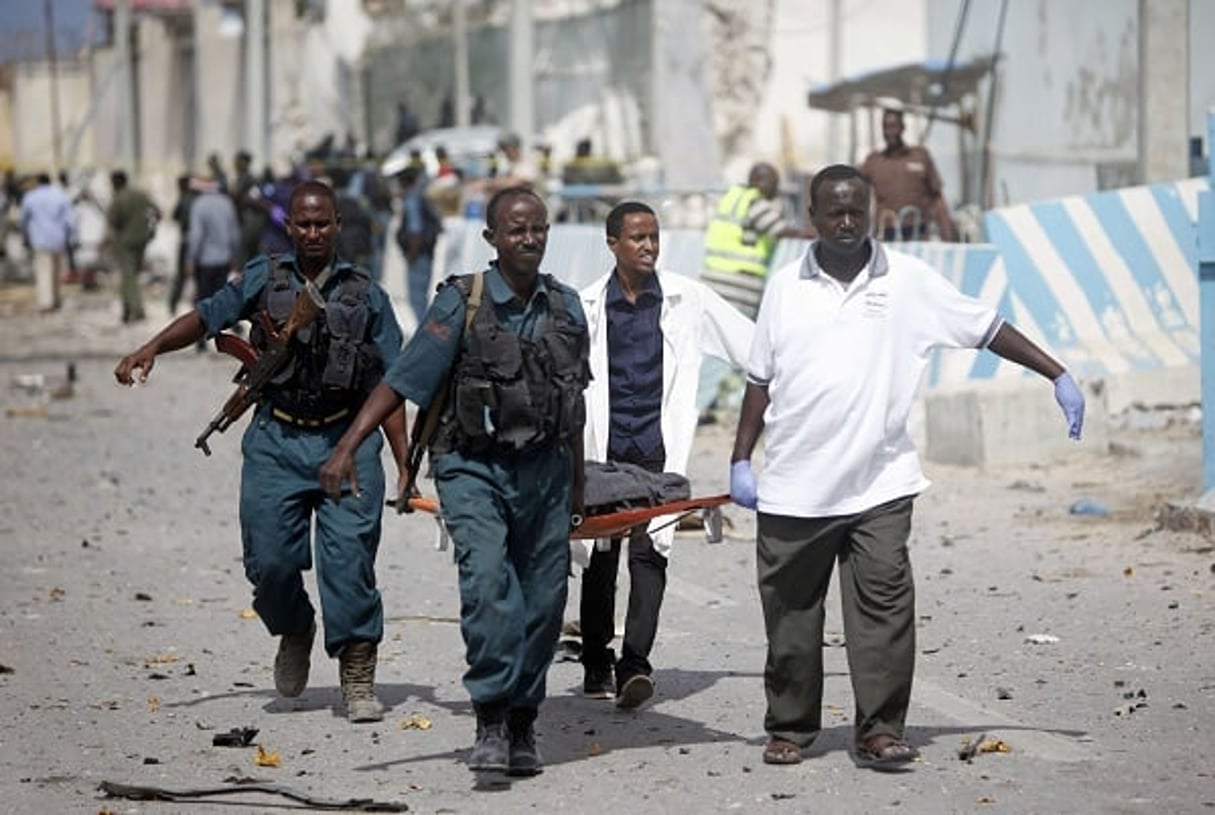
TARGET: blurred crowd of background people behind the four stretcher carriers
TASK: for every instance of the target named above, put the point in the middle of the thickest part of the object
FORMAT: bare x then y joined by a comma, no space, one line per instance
434,195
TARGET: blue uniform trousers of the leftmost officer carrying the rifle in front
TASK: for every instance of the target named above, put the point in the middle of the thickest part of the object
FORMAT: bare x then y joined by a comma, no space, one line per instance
280,496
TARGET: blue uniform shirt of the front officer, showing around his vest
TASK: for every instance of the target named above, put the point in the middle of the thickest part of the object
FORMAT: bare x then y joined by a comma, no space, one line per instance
427,359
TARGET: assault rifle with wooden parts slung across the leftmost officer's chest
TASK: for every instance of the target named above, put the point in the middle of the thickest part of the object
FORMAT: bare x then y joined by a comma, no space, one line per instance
261,369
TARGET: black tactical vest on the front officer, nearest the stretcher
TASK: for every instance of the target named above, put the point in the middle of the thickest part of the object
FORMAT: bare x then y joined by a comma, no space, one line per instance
511,394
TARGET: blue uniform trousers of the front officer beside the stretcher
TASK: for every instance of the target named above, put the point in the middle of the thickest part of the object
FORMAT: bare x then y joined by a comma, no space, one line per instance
508,516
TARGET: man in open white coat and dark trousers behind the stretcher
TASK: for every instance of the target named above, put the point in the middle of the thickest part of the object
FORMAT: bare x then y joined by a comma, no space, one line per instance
649,332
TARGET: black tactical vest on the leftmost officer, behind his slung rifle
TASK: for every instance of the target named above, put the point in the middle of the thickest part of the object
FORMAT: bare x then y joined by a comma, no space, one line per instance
334,364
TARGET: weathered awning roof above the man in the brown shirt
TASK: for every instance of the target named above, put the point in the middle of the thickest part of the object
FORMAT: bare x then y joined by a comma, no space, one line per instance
934,83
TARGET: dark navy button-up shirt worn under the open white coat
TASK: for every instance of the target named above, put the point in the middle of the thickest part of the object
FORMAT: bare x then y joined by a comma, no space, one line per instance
635,371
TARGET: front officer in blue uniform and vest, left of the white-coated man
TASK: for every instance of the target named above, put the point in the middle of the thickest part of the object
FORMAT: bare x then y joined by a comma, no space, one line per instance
507,462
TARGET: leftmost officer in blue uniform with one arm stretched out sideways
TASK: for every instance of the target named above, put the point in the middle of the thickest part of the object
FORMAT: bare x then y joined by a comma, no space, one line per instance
335,365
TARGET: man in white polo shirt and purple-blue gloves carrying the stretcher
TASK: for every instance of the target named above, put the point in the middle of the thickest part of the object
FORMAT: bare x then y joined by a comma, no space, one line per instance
843,338
